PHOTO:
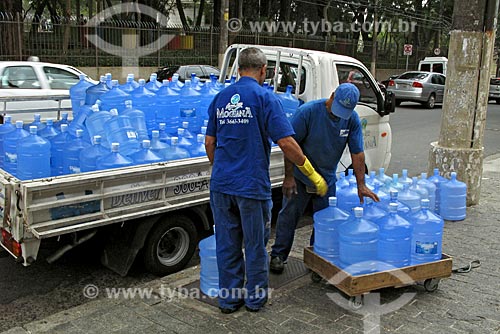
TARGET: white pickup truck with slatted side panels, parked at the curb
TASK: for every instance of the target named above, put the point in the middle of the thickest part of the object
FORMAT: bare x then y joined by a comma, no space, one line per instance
162,208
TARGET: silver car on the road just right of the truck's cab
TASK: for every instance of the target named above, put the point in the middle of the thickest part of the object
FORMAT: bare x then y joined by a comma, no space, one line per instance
417,86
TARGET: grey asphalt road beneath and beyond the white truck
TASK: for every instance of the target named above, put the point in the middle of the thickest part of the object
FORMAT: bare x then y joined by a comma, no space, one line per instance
34,292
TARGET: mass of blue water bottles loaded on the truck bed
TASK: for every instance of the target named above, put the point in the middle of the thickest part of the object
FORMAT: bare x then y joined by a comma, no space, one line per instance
116,126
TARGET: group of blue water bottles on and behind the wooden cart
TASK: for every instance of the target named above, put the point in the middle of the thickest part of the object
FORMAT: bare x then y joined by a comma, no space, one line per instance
405,228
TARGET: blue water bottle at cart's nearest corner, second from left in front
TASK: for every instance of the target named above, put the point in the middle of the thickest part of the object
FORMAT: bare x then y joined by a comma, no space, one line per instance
358,244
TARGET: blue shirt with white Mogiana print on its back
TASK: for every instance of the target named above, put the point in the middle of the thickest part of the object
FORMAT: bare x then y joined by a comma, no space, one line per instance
244,118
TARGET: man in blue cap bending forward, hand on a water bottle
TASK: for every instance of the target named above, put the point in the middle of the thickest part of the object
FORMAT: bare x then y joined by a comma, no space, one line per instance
323,128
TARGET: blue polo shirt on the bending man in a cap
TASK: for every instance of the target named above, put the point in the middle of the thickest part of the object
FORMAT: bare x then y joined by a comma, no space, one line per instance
323,138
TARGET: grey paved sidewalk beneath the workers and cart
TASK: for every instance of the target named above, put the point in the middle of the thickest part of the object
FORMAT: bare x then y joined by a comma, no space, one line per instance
464,303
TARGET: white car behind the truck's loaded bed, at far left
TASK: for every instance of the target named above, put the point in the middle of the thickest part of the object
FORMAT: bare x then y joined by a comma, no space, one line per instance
35,79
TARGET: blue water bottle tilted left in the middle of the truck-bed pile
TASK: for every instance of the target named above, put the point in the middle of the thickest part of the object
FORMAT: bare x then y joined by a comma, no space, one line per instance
119,129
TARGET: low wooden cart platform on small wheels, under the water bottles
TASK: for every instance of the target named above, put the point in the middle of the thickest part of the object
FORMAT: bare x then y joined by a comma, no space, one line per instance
428,273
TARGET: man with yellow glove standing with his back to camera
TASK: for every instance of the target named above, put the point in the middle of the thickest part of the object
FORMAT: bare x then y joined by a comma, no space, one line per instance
243,120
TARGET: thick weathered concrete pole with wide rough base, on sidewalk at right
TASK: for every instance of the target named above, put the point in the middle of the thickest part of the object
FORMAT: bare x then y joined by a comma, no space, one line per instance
460,145
